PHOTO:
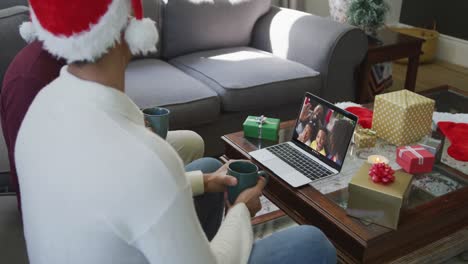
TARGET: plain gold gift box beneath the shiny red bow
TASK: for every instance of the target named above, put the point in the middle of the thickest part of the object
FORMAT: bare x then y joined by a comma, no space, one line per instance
377,203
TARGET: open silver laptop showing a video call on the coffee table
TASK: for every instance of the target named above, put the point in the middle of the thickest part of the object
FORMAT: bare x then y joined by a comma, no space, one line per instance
318,146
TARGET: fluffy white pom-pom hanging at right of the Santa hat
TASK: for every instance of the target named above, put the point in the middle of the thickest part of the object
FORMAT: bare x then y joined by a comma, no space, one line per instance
141,36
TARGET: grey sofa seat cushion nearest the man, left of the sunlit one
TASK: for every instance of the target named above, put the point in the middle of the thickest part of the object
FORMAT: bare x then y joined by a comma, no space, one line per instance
153,82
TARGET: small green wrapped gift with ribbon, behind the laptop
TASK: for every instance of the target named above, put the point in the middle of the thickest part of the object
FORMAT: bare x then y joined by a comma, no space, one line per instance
261,127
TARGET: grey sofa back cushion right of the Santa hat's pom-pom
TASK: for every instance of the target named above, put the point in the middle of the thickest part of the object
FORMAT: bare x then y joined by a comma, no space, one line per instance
196,25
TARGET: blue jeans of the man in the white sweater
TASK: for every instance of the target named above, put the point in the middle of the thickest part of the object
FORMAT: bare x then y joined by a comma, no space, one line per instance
300,244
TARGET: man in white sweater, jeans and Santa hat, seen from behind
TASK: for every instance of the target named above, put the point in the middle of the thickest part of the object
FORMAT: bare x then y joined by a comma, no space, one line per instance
109,190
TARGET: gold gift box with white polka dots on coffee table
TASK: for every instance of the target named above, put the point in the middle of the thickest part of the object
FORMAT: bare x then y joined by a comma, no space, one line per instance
402,117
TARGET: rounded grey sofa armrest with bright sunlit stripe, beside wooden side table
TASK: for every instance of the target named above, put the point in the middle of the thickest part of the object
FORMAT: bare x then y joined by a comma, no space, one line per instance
331,48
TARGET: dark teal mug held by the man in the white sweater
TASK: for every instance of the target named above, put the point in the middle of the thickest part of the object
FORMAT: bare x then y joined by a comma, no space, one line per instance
246,174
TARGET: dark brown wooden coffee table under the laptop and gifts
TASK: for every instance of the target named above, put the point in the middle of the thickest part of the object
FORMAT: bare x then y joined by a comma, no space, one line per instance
430,227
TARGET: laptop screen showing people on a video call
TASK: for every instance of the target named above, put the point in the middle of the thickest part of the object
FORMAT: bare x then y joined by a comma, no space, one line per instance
324,130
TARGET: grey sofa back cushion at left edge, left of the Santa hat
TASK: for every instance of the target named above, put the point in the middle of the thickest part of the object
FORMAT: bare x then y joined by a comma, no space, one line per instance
10,40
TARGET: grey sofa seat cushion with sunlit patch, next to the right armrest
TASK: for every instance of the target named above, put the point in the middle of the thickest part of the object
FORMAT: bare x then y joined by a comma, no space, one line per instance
250,79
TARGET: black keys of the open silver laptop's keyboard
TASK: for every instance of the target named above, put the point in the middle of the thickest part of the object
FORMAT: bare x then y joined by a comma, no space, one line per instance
305,165
